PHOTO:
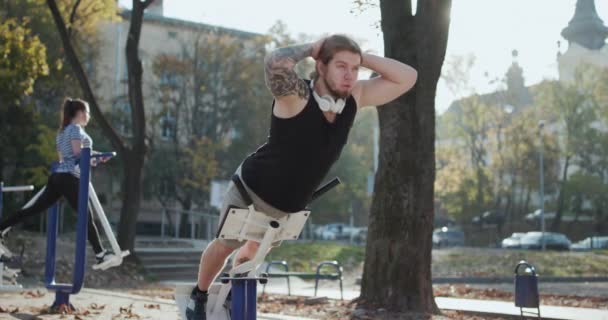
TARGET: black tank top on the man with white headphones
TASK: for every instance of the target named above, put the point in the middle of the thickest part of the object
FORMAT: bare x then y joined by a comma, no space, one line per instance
290,166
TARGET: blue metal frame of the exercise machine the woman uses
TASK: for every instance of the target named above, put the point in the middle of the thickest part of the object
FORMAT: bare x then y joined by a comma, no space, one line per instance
63,291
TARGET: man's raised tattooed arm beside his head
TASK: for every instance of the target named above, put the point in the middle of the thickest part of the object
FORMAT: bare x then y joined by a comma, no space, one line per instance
281,77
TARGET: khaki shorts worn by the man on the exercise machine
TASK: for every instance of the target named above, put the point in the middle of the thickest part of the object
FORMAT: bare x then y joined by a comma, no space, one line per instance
233,198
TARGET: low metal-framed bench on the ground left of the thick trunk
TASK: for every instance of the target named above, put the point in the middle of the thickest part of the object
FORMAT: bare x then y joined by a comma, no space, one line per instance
336,275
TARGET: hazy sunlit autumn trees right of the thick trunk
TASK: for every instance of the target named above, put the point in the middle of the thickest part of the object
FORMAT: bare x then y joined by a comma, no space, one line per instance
489,159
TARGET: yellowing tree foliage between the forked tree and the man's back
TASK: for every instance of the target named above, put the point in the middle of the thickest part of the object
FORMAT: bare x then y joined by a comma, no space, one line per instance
214,95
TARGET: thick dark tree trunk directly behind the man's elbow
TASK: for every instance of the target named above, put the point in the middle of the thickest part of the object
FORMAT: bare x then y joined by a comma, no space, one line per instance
397,270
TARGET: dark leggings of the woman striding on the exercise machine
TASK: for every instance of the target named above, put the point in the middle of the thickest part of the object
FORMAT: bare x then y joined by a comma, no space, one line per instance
58,185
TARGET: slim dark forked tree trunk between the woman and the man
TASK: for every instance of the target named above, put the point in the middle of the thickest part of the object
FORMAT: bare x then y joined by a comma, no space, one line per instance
133,151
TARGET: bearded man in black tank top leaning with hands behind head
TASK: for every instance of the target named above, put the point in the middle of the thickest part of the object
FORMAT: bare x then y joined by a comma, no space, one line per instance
310,123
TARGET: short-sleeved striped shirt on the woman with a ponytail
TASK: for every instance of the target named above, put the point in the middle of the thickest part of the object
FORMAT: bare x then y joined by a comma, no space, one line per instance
63,141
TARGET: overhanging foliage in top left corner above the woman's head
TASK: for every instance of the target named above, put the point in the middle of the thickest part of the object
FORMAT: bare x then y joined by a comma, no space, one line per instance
83,25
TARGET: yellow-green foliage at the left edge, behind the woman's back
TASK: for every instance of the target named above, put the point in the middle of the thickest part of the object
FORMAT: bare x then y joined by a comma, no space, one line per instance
22,137
